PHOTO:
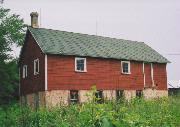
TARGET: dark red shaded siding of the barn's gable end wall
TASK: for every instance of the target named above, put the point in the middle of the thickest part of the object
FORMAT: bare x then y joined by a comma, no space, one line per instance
32,83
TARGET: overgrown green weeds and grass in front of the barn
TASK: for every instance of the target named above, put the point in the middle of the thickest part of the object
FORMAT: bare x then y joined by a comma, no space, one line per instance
163,112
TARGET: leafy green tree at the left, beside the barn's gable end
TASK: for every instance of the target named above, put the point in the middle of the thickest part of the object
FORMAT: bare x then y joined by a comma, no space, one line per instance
12,29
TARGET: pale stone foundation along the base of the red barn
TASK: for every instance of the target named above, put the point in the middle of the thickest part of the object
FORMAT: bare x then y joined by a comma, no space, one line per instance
61,97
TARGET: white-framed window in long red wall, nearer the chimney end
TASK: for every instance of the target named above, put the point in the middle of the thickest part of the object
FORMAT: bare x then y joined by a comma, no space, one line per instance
80,64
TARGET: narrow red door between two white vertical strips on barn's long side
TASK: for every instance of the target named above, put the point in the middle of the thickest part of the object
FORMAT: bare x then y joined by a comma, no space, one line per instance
147,71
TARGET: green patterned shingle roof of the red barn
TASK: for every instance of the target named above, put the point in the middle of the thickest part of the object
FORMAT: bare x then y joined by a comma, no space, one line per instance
69,43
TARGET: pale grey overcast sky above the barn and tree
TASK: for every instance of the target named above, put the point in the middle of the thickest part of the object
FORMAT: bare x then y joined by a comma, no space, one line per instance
155,22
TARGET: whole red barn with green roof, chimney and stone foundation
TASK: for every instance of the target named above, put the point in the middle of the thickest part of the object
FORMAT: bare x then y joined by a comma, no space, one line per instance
58,67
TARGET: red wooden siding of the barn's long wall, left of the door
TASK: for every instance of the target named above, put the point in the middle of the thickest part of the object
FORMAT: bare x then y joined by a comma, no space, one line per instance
104,73
